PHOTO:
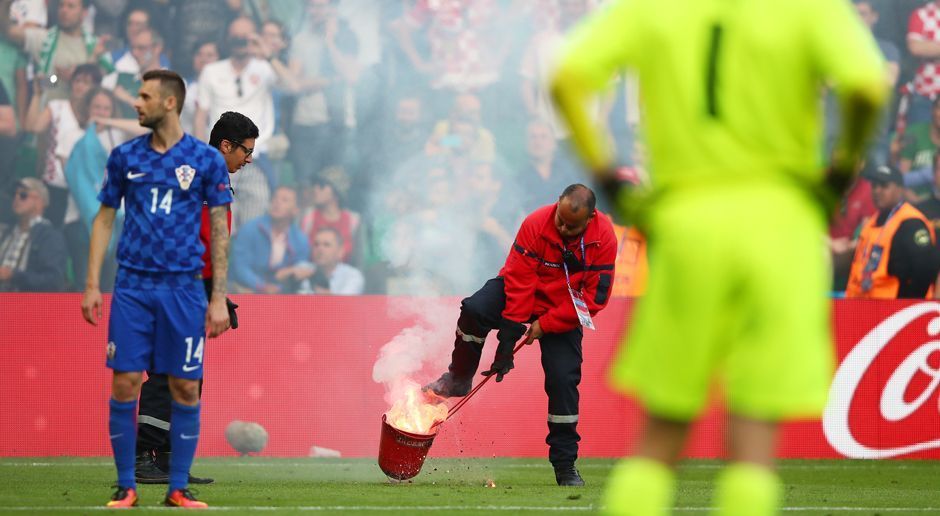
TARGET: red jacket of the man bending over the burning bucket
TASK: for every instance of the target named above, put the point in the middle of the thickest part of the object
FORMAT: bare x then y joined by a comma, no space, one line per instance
535,278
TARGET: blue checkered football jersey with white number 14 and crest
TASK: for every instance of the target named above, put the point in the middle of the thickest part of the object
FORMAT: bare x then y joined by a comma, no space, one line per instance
163,196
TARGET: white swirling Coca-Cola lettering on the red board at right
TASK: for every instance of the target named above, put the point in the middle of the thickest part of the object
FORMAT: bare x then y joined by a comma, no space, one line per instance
892,406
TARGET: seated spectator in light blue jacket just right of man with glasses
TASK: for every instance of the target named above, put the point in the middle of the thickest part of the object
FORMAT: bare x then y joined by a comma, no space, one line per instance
265,250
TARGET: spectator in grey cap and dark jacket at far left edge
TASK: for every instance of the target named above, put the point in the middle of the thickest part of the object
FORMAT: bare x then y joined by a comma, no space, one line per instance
32,251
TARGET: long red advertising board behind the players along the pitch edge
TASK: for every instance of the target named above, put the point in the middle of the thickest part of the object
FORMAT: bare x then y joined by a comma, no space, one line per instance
302,367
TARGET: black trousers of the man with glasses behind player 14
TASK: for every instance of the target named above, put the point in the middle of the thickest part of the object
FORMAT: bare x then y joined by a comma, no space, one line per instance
153,419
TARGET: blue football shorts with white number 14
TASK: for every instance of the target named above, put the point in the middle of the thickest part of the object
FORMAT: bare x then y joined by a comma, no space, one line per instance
160,328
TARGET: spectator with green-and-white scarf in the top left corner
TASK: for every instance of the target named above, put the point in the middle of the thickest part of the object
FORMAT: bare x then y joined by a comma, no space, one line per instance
60,49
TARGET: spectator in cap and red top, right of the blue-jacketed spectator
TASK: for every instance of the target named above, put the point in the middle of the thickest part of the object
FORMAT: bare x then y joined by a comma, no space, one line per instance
326,209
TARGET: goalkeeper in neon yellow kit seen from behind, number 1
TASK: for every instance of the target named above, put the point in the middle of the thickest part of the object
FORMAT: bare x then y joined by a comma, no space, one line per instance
733,126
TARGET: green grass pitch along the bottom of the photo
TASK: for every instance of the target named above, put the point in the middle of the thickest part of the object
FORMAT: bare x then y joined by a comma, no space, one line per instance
522,486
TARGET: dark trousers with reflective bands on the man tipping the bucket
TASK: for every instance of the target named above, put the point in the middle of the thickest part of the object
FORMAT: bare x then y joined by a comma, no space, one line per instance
561,363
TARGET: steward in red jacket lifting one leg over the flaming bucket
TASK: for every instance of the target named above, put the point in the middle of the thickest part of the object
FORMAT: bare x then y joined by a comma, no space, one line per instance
557,276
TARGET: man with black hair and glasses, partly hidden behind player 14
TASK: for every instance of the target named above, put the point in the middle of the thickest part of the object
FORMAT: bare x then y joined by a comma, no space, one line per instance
234,135
